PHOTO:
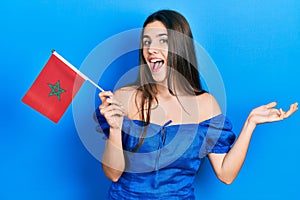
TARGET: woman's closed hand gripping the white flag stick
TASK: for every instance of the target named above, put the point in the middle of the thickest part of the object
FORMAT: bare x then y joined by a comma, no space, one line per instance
111,109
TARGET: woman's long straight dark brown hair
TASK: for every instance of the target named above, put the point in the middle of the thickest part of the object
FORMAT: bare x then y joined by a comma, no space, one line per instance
181,60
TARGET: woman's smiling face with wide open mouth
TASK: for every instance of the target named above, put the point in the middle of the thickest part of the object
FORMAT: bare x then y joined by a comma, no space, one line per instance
155,50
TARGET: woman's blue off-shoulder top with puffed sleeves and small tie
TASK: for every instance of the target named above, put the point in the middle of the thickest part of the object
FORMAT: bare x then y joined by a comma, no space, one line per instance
165,165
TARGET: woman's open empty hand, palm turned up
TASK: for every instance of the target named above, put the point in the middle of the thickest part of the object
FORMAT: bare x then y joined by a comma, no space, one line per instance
267,113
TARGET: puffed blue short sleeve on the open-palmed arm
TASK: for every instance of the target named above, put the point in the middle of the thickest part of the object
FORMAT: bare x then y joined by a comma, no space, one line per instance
219,136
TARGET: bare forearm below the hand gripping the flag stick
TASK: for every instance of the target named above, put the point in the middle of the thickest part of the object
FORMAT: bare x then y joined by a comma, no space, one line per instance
113,162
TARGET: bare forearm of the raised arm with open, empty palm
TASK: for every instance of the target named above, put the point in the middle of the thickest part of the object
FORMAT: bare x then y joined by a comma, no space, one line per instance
235,158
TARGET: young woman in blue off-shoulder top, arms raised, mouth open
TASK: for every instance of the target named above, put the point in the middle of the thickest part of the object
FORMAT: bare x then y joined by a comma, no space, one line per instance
159,128
